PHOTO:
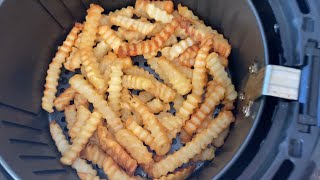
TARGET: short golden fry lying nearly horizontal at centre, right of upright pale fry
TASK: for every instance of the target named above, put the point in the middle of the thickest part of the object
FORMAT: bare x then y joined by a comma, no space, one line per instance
136,82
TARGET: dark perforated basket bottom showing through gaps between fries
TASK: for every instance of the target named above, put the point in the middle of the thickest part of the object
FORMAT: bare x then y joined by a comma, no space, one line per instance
60,118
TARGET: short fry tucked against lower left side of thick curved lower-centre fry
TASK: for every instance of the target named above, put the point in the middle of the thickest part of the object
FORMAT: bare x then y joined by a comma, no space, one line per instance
140,132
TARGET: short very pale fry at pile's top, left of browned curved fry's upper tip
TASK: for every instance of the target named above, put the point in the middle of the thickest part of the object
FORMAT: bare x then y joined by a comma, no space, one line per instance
158,14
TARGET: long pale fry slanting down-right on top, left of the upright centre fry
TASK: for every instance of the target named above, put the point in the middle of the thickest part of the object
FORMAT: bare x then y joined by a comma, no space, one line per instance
83,87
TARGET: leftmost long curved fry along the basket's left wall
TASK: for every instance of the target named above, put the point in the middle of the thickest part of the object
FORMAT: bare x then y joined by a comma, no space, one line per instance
54,70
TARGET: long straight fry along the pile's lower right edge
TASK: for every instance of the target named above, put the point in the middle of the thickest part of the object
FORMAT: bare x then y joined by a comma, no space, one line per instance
191,149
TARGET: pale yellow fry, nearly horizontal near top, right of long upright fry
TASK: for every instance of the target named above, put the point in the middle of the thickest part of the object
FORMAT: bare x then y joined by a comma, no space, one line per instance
132,24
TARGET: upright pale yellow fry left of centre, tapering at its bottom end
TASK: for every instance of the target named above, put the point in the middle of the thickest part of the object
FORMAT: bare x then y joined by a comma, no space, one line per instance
115,87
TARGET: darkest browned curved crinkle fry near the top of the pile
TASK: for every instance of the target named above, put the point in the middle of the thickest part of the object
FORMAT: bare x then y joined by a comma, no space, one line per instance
148,46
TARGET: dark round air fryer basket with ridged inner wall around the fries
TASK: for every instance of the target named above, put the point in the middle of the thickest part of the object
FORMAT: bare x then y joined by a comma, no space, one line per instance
31,32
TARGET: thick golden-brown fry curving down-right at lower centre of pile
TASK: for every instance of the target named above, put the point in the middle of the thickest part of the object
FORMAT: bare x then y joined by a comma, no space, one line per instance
150,121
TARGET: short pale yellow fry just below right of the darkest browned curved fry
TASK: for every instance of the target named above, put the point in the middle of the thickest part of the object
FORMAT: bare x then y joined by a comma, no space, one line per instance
173,52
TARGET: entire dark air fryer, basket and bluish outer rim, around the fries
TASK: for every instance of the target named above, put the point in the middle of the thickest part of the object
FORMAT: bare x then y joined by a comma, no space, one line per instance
272,138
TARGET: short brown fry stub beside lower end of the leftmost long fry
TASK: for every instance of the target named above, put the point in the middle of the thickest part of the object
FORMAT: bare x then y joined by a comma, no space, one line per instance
63,100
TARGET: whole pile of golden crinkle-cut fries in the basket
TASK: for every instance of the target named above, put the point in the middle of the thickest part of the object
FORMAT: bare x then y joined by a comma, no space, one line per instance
125,131
